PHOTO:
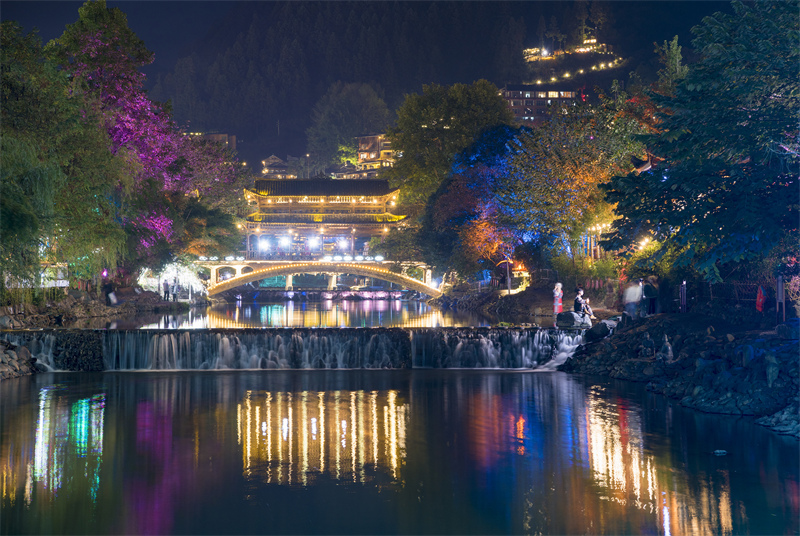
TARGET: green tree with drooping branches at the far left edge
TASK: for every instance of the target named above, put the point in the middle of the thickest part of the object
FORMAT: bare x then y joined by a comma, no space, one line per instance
58,175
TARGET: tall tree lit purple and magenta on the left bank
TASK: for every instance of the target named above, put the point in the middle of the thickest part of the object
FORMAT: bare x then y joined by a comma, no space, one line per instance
103,56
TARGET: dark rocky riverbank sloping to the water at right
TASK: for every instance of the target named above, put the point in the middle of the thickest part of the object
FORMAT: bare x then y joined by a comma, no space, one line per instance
707,364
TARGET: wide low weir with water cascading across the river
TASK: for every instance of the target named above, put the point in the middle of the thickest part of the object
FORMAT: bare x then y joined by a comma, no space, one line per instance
299,348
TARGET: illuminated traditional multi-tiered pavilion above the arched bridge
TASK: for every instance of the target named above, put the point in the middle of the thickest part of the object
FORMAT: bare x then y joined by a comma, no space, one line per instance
309,217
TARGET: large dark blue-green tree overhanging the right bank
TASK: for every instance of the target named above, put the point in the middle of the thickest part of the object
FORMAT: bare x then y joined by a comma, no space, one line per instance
728,191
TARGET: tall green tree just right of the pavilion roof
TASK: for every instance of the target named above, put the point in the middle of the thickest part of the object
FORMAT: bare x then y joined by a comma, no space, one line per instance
433,127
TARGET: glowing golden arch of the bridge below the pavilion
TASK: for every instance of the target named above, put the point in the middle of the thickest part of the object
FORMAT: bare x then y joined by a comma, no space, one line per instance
367,270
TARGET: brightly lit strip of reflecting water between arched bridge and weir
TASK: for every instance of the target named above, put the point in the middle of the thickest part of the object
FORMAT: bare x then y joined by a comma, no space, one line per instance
319,314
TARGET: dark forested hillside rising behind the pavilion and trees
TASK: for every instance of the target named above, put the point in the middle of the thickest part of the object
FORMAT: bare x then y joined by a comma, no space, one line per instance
288,54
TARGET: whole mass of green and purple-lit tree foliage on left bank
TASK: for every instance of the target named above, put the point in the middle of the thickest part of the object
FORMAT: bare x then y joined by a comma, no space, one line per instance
89,165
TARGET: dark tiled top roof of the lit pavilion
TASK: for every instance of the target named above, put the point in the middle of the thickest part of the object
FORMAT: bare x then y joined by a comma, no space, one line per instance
322,187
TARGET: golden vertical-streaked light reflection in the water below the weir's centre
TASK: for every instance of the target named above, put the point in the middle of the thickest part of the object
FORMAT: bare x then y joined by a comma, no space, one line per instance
290,438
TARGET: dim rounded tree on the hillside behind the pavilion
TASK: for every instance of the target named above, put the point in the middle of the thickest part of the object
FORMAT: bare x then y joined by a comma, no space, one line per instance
345,112
